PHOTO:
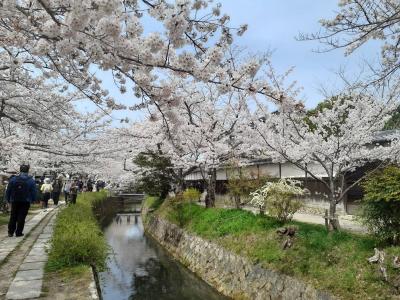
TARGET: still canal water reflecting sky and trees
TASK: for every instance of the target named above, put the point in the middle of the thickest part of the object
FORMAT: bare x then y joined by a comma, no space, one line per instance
140,269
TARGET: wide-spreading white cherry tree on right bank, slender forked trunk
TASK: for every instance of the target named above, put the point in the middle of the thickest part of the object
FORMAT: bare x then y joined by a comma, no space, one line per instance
338,138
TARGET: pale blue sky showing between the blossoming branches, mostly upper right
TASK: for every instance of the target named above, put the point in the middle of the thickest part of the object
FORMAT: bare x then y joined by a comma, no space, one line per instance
273,25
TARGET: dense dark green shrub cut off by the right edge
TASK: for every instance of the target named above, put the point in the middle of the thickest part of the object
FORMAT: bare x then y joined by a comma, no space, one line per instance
381,204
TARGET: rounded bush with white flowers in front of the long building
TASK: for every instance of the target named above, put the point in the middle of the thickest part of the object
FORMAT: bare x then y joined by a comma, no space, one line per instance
279,198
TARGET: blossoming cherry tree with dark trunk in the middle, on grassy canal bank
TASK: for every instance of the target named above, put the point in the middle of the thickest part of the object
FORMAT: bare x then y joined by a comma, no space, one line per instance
207,131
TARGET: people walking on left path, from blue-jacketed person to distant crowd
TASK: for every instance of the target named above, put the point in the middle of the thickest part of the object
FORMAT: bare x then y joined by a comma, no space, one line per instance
22,190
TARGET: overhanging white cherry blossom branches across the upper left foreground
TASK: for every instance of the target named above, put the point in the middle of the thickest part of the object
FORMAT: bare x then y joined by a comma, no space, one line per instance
67,38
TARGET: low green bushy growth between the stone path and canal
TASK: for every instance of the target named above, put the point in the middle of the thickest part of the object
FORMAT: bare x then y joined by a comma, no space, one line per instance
78,239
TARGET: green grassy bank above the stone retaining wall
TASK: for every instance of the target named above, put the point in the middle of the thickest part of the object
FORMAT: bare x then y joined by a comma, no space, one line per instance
335,262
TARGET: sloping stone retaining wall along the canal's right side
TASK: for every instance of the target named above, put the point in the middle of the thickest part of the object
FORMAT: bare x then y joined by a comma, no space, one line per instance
230,274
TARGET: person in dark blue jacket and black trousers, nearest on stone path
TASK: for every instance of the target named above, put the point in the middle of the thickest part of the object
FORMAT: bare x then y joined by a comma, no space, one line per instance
20,193
